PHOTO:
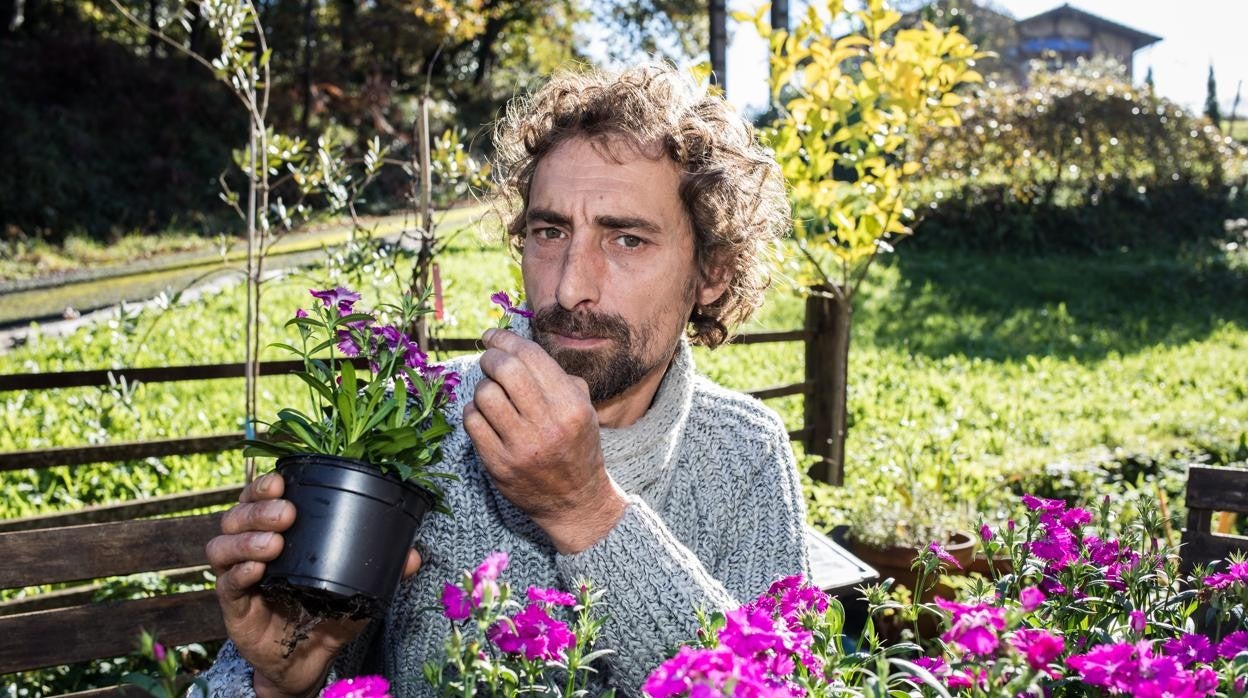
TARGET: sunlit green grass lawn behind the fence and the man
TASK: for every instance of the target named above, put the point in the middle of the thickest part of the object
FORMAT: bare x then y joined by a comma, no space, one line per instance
985,371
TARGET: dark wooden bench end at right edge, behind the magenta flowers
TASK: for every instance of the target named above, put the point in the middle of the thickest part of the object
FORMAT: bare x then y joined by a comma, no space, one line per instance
1212,490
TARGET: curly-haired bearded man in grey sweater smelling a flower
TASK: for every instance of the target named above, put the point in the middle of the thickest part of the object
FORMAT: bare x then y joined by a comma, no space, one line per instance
587,448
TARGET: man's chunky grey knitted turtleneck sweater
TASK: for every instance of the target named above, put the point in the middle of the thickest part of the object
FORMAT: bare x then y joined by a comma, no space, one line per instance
716,515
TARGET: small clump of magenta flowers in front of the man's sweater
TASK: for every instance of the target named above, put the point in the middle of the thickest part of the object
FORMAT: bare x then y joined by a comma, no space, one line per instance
504,646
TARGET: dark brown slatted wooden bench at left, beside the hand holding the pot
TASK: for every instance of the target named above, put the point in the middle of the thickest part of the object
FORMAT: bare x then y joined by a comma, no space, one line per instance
67,626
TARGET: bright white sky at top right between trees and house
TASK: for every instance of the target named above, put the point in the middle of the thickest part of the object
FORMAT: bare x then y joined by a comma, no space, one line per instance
1195,33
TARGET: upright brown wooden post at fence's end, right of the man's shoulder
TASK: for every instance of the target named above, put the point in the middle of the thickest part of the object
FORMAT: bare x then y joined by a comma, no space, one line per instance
821,374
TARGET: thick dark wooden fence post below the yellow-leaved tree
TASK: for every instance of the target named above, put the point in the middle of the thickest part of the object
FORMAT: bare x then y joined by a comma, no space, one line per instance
828,320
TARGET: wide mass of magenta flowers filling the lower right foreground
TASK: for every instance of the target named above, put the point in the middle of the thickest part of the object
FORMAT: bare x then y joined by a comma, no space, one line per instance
1069,611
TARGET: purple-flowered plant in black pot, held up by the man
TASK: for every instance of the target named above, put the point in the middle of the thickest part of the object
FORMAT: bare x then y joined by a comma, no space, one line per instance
358,464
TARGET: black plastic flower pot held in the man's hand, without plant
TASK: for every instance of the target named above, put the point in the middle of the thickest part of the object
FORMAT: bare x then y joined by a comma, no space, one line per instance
354,525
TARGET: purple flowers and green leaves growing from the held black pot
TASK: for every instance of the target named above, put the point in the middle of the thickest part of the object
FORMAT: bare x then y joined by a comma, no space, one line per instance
374,394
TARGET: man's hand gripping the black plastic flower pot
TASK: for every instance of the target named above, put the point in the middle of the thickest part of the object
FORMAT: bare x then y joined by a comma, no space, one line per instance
251,536
